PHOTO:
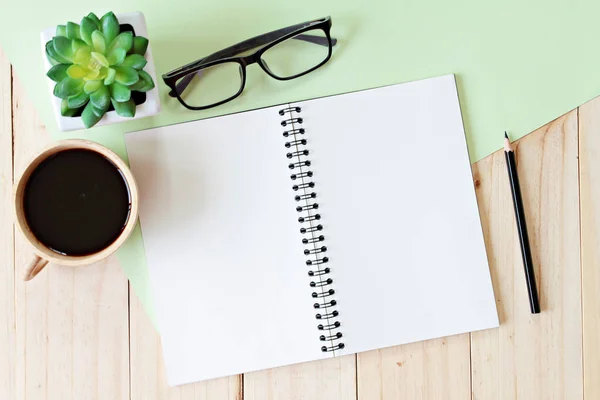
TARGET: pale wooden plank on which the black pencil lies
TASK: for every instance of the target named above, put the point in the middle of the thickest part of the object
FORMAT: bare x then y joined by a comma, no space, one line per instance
533,356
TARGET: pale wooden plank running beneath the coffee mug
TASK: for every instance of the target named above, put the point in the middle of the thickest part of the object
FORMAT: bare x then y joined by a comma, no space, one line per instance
72,323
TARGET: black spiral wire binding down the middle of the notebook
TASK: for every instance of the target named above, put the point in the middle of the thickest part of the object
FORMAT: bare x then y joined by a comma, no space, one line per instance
311,227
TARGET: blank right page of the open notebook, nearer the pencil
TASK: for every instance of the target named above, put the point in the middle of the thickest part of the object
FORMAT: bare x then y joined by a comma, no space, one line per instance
398,208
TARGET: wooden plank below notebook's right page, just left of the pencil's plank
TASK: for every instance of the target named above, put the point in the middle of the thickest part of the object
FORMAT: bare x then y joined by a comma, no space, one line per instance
434,369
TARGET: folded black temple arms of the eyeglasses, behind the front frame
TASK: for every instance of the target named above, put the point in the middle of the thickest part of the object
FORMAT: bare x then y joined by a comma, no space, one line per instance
249,45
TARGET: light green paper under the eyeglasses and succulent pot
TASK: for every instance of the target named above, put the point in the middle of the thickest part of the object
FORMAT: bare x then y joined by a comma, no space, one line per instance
519,64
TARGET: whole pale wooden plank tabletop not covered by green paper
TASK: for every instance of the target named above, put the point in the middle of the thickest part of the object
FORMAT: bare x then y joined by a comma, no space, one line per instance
76,334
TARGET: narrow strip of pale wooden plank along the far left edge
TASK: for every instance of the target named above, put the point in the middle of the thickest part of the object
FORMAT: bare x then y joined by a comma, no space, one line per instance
7,307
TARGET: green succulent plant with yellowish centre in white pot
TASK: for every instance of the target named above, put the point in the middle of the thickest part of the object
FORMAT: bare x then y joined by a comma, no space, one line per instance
94,65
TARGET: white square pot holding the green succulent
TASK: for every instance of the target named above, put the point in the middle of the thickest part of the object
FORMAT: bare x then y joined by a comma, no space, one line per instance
150,107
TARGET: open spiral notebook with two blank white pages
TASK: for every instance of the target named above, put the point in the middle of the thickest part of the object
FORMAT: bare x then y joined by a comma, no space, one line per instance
312,230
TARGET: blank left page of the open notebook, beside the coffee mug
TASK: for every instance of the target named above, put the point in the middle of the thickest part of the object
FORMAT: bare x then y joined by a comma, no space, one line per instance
224,253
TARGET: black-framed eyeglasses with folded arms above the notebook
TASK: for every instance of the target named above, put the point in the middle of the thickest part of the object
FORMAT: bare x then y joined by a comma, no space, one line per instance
284,54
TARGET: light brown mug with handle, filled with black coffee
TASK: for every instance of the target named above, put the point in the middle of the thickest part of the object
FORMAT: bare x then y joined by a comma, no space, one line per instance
70,205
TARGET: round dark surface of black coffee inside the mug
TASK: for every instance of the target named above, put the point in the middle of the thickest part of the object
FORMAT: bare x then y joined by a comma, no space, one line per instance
76,202
